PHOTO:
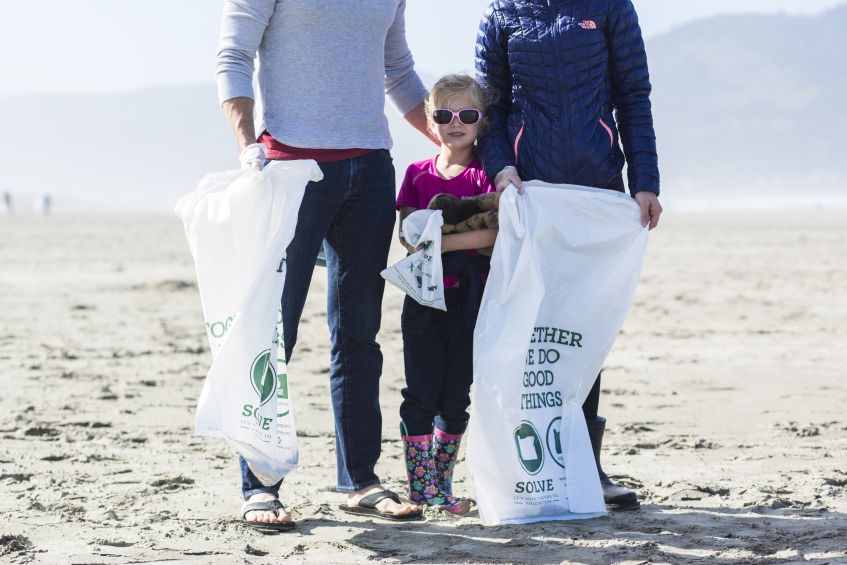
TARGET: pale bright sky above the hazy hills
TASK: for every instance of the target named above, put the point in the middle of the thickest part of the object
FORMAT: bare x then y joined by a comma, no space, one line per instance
117,45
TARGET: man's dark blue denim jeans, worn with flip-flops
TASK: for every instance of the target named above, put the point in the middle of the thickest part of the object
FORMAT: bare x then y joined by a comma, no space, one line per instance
351,212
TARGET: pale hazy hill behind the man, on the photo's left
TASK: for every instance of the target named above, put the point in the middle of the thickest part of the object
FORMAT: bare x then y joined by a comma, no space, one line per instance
135,151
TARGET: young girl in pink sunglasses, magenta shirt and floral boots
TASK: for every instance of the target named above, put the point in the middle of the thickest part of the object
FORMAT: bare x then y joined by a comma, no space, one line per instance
438,346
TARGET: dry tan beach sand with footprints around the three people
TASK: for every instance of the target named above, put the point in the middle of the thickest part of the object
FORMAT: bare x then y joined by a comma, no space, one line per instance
725,397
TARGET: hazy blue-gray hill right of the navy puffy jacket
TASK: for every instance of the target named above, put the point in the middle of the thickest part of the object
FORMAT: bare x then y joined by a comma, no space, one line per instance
752,105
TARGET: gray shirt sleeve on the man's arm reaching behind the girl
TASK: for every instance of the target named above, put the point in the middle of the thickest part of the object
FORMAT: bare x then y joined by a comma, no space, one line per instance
403,86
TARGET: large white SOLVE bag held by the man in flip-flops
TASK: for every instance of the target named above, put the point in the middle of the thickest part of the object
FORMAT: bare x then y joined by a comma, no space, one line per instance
239,225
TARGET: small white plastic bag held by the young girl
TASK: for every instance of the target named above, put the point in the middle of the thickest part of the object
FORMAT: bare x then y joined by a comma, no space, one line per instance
421,275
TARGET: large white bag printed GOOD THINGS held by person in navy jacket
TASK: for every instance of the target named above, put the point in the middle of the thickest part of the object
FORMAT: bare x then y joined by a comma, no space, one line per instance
563,273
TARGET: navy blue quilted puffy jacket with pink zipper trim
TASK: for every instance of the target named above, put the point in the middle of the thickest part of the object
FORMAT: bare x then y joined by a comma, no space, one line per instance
559,69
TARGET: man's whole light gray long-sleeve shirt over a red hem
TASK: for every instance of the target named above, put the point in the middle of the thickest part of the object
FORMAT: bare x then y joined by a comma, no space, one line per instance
325,67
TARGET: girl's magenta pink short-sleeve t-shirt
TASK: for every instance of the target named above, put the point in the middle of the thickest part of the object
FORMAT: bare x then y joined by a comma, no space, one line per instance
422,182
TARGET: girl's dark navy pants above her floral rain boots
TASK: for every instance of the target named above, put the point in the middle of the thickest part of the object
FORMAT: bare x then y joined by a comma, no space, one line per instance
438,355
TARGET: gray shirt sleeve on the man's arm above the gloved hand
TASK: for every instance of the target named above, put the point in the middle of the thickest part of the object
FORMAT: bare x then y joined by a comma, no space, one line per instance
242,27
